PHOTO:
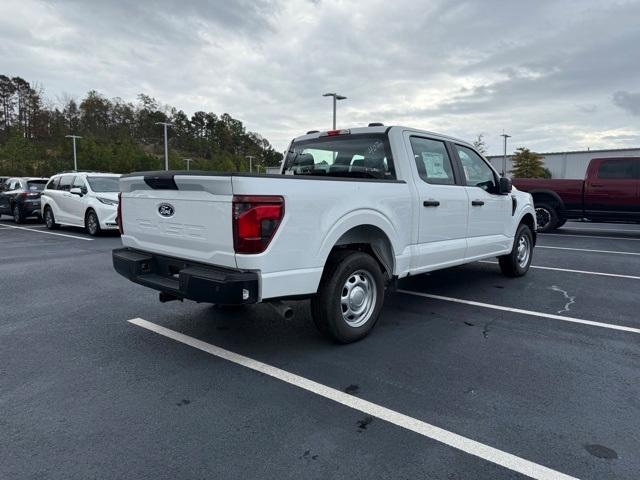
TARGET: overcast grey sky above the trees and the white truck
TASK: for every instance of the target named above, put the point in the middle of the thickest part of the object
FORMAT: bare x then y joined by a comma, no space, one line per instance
556,75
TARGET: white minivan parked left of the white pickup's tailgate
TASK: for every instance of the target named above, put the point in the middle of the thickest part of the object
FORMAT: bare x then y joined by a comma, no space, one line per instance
81,199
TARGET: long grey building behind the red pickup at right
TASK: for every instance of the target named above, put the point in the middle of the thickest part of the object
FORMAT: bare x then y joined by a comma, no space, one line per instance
569,164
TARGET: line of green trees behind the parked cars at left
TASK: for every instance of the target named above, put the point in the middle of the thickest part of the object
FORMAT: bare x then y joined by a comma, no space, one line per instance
117,135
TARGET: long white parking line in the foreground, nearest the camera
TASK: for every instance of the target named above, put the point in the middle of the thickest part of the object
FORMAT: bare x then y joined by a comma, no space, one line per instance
490,454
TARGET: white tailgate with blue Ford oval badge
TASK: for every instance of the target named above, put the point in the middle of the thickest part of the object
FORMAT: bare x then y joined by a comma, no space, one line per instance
179,215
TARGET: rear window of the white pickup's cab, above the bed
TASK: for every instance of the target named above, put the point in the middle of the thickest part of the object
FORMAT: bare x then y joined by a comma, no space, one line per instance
351,156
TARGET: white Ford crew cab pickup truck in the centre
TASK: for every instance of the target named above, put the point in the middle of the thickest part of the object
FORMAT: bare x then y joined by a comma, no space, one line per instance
351,212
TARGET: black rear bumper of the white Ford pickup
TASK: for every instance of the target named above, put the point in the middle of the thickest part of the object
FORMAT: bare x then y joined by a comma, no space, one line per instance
185,279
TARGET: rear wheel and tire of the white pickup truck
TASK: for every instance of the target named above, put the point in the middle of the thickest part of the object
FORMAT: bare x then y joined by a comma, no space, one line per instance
349,318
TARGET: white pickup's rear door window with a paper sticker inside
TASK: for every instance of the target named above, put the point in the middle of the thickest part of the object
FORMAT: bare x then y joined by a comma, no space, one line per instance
432,160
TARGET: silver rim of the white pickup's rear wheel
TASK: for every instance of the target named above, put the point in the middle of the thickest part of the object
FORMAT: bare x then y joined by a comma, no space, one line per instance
358,298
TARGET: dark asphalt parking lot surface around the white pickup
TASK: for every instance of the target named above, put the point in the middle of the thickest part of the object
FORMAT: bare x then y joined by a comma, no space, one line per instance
87,394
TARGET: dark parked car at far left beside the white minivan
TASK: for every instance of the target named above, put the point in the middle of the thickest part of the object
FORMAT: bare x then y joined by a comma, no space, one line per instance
20,197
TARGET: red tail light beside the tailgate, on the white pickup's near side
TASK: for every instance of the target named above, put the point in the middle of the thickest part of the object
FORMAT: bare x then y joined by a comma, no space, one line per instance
255,221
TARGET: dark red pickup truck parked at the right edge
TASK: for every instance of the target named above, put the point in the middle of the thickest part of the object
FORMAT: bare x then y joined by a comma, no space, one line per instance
610,192
